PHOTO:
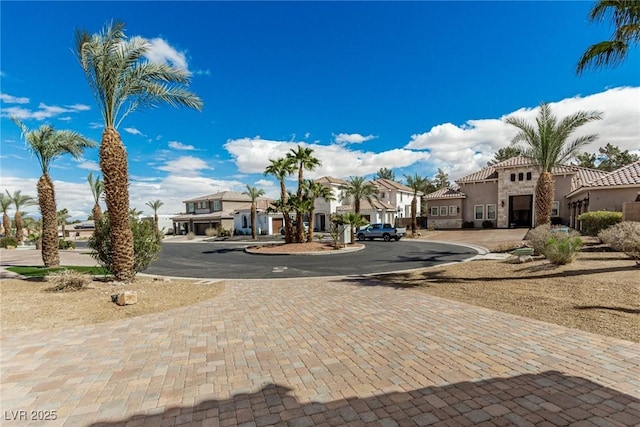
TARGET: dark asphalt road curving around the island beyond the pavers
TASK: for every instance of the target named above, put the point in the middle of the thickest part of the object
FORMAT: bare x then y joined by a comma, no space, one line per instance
229,261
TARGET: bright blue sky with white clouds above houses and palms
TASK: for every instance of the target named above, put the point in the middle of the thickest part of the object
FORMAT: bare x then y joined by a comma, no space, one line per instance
411,86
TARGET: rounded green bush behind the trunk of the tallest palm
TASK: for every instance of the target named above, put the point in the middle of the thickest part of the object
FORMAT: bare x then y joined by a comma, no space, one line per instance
147,243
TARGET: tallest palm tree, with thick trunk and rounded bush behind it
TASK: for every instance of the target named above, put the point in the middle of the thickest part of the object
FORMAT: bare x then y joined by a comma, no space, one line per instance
123,82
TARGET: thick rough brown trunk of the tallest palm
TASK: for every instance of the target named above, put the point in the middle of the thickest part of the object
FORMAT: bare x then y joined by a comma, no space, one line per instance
113,162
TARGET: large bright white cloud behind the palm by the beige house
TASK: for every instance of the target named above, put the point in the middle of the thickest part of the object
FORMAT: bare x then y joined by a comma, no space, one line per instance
467,148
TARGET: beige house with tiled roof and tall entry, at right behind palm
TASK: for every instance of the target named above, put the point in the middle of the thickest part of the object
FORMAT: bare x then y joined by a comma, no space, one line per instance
503,195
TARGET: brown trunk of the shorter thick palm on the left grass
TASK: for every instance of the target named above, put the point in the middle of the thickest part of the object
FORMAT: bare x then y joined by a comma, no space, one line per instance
46,198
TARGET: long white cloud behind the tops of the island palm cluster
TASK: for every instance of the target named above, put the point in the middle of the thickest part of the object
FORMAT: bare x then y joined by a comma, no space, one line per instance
252,155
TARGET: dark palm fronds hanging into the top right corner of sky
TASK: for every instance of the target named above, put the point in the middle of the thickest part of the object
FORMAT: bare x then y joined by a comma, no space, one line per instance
625,15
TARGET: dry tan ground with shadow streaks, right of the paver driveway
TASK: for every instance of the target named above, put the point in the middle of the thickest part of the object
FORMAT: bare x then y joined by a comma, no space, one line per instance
599,292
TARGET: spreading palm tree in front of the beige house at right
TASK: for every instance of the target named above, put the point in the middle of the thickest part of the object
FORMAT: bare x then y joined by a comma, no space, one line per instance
546,143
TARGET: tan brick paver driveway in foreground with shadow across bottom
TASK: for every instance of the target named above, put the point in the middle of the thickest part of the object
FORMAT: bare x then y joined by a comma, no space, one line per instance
323,351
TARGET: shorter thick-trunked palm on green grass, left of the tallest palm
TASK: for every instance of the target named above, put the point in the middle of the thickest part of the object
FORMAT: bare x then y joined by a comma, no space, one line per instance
47,145
